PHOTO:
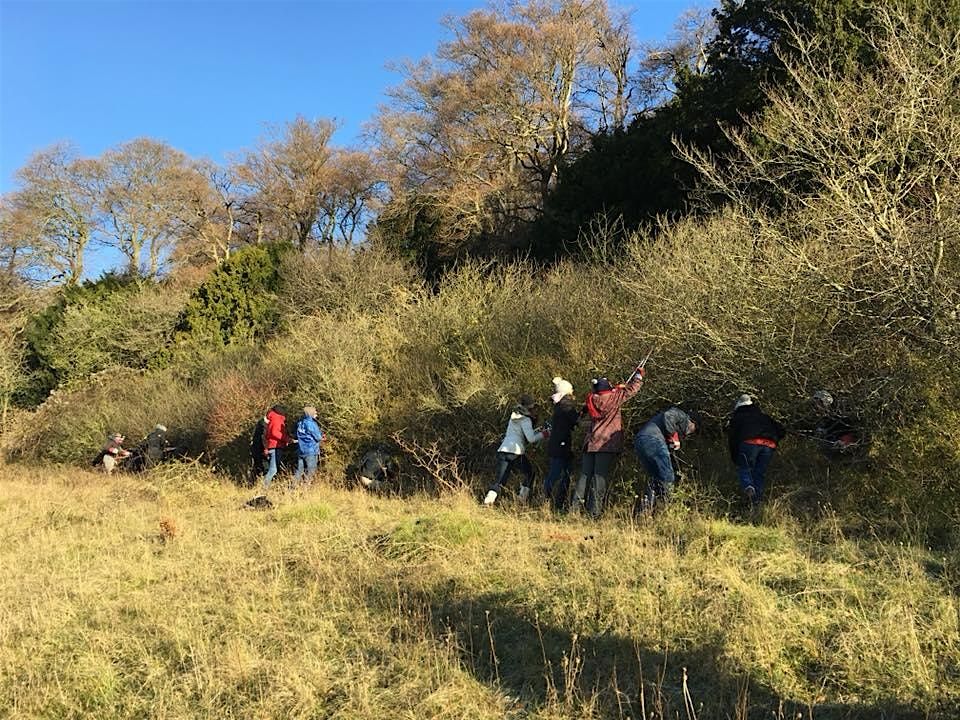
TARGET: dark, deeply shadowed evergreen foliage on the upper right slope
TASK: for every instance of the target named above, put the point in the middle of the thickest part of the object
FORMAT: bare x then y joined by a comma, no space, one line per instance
636,174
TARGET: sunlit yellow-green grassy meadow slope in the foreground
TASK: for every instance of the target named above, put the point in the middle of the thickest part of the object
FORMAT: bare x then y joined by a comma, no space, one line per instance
160,597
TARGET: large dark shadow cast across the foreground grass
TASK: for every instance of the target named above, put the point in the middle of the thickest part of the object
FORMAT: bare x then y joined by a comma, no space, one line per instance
611,676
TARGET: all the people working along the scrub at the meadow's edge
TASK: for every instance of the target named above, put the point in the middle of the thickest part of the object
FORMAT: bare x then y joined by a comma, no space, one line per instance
753,437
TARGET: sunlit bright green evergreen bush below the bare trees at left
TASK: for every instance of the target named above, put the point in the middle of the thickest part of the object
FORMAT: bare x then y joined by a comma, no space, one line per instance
235,305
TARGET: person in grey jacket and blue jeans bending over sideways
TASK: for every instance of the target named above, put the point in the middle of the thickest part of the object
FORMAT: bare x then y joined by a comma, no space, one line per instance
661,435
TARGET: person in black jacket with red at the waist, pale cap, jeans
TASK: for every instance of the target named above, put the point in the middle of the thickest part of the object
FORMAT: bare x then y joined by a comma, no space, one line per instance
753,438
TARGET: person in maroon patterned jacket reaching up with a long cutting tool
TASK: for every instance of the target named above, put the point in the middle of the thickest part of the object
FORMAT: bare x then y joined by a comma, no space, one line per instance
604,440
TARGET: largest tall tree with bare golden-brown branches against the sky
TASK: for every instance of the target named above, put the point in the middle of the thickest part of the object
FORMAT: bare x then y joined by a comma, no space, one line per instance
484,128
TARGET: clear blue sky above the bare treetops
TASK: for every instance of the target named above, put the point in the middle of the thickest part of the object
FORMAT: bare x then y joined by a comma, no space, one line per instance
205,76
